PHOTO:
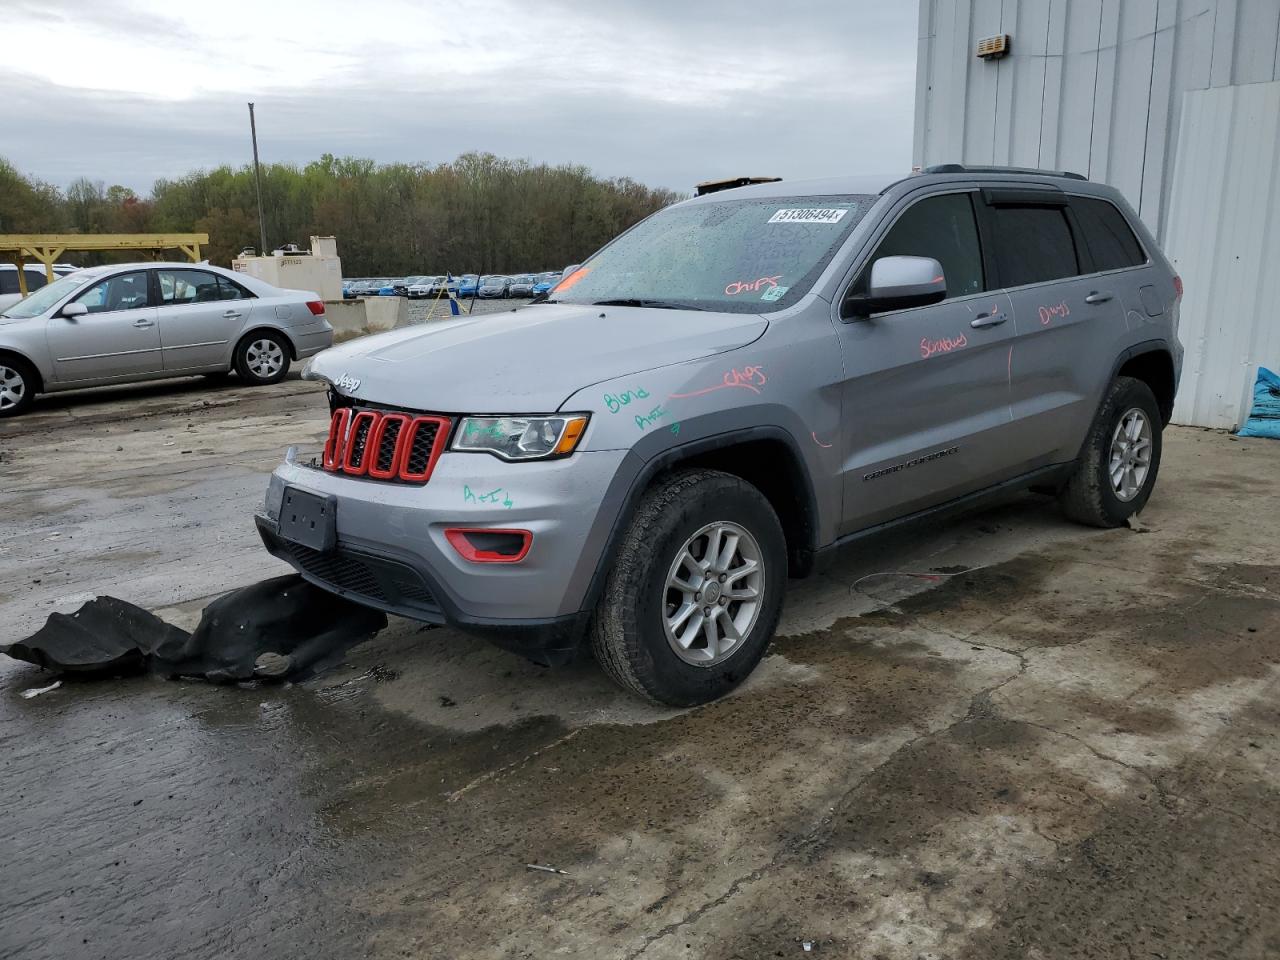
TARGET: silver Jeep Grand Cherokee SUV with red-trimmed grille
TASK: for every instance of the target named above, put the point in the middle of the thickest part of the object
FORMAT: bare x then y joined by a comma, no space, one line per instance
725,395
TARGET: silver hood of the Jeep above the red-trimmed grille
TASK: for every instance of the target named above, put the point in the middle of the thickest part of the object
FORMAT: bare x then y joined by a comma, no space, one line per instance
525,362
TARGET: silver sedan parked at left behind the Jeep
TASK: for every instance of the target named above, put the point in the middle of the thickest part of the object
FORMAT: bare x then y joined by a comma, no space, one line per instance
147,322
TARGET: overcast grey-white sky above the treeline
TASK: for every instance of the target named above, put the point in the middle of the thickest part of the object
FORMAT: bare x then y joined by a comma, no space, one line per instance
665,92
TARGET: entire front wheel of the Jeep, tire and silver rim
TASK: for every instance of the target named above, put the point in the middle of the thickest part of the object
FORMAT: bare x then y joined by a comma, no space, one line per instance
697,591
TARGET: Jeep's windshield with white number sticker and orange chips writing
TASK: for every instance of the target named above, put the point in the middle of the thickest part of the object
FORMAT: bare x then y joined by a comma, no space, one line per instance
734,255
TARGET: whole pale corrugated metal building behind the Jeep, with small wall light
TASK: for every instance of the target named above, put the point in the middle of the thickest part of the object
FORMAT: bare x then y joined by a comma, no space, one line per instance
1177,103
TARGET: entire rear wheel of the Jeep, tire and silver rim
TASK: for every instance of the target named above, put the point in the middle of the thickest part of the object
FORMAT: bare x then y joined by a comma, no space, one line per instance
1118,467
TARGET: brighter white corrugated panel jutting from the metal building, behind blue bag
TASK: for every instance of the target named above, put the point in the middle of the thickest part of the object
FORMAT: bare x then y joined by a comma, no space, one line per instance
1224,239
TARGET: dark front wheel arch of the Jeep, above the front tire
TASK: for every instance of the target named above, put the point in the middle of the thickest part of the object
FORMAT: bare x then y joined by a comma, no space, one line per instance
769,458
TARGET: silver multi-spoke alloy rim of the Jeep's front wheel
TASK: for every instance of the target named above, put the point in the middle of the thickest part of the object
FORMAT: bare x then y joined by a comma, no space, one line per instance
714,593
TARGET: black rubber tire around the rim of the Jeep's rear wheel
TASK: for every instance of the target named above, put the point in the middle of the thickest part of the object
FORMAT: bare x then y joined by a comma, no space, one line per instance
1090,496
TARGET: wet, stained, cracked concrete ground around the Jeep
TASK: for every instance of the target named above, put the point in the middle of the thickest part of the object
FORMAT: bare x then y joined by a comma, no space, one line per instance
1068,752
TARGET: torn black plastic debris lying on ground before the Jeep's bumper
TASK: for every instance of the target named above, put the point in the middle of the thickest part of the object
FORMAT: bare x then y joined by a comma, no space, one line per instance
284,628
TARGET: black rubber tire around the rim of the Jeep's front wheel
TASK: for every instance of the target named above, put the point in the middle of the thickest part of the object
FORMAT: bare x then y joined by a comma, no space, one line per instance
629,634
